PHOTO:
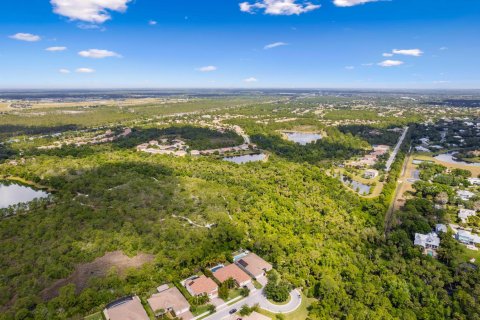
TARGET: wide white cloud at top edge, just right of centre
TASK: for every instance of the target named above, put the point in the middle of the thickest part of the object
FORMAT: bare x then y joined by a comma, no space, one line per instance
279,7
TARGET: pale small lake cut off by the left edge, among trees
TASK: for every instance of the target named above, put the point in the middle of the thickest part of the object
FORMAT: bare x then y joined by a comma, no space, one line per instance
12,193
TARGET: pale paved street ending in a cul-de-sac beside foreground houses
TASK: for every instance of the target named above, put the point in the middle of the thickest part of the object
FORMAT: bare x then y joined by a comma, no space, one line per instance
258,297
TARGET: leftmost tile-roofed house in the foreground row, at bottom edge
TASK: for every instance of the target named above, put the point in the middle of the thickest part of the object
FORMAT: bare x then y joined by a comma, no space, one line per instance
128,308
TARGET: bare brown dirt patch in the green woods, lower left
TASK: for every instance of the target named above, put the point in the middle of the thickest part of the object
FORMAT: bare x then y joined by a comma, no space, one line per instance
97,268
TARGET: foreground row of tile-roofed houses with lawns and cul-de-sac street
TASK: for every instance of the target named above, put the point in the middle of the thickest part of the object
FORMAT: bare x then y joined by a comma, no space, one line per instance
201,295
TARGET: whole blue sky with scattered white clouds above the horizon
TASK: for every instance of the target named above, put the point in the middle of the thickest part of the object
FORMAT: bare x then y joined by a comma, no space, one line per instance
246,43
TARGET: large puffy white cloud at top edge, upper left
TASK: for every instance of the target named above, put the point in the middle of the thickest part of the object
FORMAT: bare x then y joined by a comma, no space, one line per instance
94,11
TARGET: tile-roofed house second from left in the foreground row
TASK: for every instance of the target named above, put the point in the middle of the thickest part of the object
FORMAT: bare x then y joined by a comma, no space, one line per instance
169,300
